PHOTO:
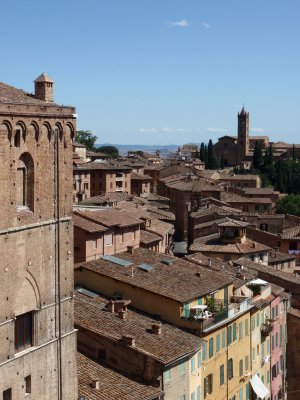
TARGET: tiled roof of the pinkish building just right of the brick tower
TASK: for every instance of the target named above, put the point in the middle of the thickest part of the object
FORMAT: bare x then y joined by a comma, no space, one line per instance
109,217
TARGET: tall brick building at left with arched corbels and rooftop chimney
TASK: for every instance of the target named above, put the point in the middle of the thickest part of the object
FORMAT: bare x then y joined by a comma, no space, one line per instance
37,336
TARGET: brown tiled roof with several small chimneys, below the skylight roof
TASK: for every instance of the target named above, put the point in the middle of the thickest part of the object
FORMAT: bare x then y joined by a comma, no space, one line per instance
172,344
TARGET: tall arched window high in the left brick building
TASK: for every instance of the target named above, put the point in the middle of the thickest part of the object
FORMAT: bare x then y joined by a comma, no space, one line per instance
25,181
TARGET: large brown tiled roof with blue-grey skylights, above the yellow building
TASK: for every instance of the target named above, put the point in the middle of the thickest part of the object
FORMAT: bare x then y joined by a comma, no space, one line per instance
177,281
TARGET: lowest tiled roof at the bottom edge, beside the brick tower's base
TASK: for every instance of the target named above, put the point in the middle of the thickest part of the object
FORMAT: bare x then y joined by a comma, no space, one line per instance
113,385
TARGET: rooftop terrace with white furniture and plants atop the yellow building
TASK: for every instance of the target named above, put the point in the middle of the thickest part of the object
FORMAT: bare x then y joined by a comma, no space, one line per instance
215,311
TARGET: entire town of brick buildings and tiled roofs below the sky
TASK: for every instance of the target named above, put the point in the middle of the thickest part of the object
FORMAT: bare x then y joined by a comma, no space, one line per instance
139,277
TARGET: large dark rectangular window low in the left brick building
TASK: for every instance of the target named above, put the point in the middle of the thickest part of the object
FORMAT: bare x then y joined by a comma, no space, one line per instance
23,332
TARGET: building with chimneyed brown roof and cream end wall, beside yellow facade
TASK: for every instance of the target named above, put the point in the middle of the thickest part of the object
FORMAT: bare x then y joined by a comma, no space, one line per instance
134,343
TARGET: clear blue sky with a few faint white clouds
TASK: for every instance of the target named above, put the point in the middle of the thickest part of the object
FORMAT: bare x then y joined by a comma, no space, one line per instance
161,71
